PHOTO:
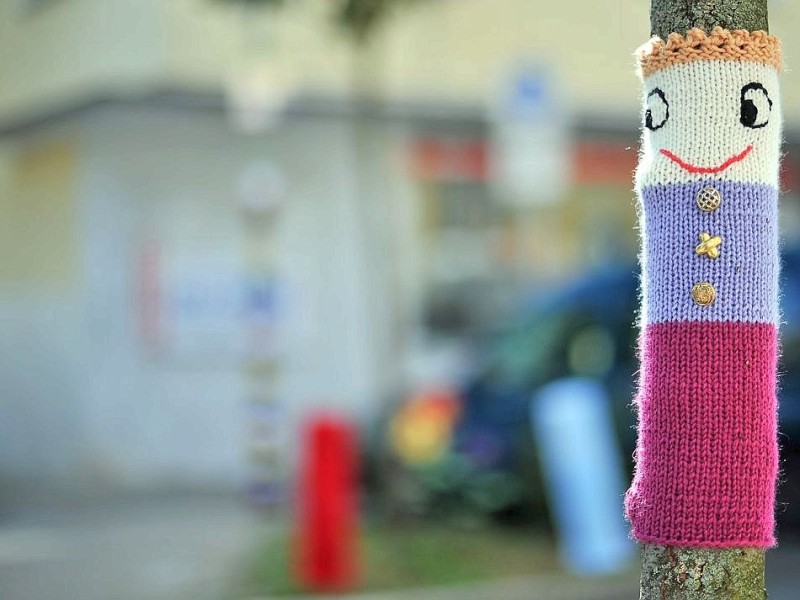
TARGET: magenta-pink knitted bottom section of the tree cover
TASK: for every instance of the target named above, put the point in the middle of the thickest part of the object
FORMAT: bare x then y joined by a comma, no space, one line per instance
707,456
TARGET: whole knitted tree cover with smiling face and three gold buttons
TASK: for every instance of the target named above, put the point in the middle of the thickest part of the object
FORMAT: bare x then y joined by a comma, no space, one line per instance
707,184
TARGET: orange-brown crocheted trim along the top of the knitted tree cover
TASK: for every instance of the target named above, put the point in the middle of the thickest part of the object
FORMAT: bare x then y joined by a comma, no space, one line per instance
720,44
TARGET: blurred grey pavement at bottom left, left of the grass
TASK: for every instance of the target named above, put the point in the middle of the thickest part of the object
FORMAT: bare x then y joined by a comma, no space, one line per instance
151,549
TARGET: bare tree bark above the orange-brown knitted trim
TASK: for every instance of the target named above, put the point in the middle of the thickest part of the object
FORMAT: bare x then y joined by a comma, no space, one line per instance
680,16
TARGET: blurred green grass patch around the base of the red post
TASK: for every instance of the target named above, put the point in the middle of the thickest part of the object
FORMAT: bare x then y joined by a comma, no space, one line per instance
417,556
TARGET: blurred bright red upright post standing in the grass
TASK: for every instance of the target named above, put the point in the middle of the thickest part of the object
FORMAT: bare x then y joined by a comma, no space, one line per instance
326,538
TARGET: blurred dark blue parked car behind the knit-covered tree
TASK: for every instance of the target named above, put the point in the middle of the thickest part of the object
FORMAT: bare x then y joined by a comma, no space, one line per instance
588,329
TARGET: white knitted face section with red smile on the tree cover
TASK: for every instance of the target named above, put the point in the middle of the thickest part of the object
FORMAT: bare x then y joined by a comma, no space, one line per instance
704,128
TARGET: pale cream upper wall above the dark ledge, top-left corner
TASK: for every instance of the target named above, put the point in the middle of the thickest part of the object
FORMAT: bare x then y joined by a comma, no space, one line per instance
77,50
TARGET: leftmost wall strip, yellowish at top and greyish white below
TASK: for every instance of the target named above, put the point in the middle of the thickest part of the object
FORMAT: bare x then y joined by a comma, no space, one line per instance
41,343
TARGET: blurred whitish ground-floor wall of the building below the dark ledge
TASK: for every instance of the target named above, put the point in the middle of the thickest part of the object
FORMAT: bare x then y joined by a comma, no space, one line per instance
127,417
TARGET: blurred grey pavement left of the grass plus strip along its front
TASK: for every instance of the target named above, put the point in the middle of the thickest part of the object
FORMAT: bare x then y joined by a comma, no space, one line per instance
193,548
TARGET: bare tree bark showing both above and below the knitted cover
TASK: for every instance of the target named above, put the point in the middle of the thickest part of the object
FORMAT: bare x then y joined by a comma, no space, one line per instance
672,573
